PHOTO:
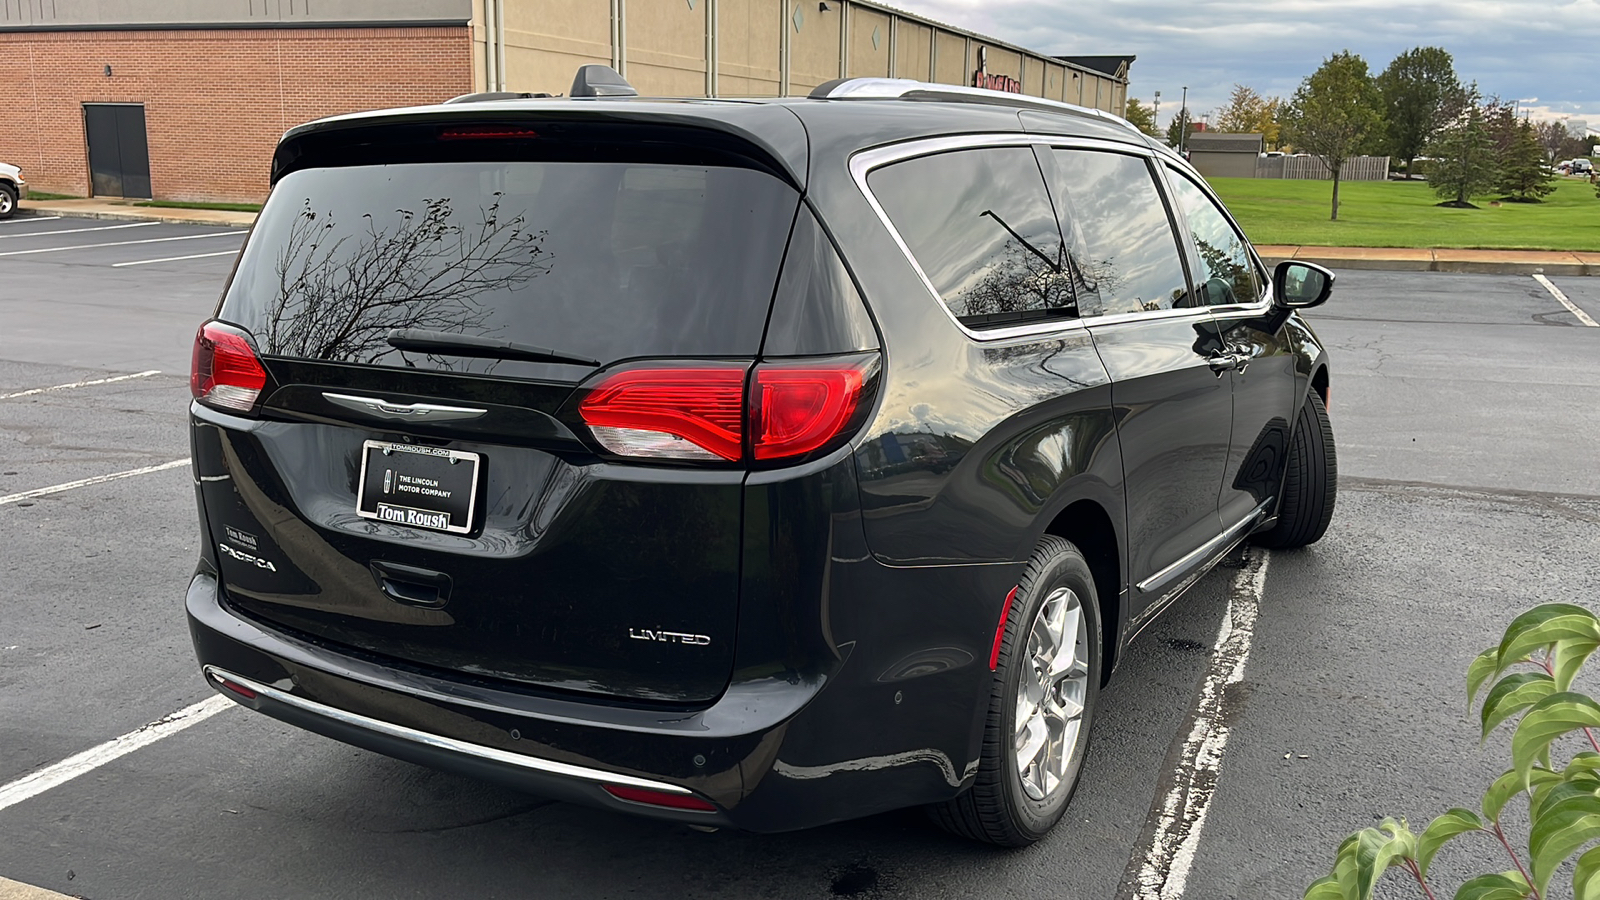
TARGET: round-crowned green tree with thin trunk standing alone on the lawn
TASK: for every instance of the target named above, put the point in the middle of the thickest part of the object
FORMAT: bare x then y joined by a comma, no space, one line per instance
1334,113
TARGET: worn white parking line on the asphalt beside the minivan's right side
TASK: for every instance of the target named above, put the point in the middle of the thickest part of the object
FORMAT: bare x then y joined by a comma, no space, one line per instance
1164,872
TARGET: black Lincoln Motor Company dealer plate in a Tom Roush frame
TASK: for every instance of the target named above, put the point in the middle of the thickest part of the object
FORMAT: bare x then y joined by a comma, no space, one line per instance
423,488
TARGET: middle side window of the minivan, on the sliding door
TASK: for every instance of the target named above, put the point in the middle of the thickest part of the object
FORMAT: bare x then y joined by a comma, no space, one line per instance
1122,241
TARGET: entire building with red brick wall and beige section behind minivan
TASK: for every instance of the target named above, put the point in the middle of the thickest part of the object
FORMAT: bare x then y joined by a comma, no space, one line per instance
185,100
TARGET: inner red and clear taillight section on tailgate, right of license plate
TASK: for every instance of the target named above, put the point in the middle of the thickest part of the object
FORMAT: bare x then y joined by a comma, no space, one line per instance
674,414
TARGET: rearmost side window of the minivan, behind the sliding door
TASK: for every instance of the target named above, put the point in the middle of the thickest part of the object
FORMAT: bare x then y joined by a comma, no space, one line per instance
982,227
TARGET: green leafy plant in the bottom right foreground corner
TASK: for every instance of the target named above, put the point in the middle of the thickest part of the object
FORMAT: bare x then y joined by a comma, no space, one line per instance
1532,672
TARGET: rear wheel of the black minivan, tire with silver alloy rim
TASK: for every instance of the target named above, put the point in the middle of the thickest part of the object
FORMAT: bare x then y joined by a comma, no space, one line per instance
999,808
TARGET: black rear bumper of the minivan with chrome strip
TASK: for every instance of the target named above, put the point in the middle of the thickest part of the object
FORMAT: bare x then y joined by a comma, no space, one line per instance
772,755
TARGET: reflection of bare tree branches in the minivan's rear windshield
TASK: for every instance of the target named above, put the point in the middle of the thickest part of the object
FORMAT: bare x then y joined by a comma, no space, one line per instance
340,297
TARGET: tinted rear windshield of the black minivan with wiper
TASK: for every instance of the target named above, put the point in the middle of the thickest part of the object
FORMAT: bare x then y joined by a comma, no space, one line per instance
596,260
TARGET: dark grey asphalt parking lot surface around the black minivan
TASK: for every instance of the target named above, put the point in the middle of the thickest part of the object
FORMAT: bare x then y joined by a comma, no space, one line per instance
1466,409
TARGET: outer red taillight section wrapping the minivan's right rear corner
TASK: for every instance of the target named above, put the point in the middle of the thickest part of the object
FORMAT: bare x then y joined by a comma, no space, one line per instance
802,406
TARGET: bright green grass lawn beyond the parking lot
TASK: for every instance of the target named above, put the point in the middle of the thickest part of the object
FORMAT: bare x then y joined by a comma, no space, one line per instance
1399,214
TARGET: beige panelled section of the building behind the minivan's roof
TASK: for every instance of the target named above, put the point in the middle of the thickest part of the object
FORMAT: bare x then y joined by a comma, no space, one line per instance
761,49
